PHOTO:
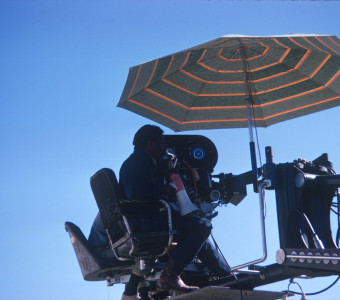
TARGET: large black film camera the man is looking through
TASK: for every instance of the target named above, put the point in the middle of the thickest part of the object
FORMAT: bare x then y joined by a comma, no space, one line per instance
196,158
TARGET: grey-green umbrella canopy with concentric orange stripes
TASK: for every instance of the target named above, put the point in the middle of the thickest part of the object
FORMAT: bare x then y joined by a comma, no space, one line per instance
234,80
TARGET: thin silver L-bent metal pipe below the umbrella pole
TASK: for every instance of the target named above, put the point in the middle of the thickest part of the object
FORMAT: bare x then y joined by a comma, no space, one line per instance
263,229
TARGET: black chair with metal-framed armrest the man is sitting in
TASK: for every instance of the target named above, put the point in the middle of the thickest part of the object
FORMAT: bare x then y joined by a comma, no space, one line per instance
145,232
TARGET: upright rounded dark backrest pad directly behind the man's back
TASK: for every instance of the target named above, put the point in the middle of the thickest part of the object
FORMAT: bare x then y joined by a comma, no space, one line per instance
105,189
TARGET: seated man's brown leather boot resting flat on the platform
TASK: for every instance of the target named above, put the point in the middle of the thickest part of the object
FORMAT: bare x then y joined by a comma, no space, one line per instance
170,279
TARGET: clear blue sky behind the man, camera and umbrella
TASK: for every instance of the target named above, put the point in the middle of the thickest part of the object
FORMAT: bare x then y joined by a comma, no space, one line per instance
63,68
